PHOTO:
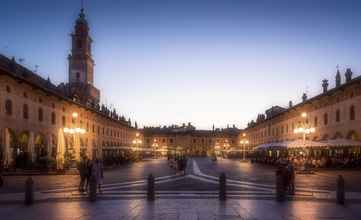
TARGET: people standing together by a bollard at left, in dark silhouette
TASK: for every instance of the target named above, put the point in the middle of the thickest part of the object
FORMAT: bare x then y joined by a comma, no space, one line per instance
88,170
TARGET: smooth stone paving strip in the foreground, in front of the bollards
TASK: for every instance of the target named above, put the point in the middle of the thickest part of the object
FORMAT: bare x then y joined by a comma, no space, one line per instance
181,209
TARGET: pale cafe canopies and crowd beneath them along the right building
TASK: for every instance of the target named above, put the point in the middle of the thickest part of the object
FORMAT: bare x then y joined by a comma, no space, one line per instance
336,153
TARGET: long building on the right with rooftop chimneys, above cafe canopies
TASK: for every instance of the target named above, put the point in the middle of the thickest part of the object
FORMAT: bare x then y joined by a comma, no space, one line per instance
335,114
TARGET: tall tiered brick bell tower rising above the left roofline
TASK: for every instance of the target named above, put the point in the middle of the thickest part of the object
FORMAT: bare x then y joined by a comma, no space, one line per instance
81,65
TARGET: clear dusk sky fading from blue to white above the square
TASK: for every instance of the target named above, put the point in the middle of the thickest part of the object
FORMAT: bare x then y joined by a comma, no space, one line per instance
205,62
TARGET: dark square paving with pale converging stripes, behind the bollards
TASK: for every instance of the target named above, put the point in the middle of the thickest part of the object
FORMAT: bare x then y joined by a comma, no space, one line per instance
244,181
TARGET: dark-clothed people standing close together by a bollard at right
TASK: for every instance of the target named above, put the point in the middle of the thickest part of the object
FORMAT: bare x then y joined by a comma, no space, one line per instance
286,175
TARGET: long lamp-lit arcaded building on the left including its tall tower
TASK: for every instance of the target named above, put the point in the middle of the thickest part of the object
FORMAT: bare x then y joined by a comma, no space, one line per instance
40,121
